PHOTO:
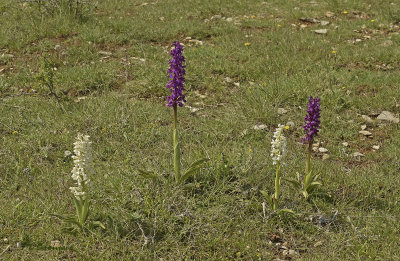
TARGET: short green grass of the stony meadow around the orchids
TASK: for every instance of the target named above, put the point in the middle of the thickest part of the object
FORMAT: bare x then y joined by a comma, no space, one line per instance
110,74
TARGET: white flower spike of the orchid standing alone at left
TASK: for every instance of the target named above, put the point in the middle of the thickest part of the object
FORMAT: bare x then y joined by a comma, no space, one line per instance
83,165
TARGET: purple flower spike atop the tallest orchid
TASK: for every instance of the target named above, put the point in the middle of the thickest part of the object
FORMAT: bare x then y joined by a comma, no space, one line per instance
176,76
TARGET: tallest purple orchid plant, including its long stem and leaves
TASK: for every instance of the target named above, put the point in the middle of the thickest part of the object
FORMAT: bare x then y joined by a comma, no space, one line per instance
175,86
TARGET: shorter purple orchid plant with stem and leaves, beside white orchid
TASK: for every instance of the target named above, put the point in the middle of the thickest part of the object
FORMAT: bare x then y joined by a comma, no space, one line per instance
311,129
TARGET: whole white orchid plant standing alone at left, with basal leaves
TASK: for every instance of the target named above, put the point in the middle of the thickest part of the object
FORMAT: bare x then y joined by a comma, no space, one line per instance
80,174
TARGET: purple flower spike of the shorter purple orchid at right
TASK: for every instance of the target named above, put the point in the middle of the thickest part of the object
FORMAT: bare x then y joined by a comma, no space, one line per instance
311,120
